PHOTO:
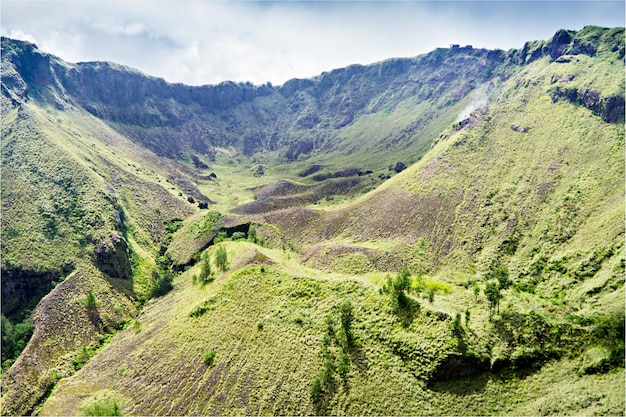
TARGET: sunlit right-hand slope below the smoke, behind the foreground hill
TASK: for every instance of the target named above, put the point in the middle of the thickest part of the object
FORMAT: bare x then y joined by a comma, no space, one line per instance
491,194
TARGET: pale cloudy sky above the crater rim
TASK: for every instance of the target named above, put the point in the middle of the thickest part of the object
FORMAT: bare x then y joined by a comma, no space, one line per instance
206,42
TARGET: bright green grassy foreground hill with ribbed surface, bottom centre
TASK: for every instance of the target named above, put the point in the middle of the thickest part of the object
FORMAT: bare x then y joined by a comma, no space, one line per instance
269,369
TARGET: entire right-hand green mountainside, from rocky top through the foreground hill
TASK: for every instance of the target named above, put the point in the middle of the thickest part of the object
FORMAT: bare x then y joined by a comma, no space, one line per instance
524,200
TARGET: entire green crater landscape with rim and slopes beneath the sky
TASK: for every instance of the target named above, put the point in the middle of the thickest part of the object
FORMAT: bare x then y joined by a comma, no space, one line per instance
240,249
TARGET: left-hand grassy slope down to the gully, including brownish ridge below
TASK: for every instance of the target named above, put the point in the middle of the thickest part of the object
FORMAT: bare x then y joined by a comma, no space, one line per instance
65,176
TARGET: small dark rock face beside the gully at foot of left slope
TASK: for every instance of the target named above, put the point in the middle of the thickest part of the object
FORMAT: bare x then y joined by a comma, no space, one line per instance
111,256
